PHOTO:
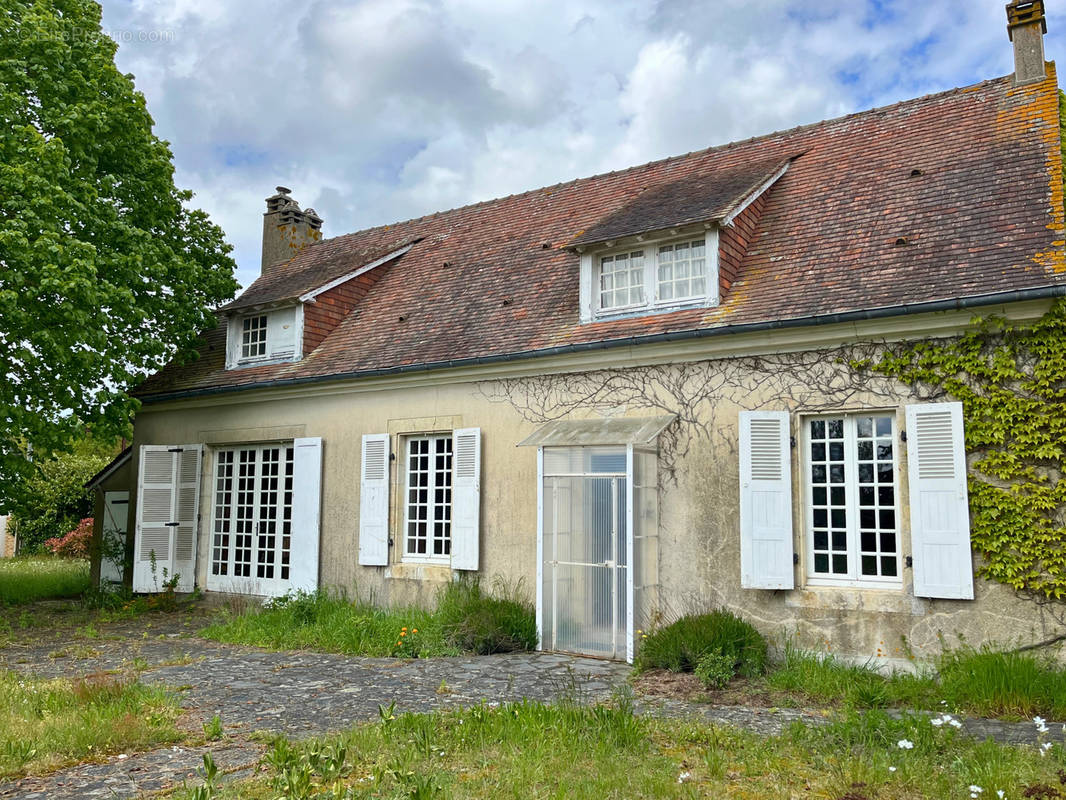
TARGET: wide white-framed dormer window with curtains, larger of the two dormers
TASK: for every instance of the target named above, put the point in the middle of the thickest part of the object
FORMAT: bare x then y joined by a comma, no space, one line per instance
660,276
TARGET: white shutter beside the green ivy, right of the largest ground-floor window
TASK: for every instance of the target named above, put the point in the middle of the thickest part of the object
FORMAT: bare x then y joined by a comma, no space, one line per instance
940,507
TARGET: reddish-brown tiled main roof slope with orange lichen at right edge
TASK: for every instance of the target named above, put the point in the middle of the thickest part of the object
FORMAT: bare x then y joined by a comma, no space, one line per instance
947,197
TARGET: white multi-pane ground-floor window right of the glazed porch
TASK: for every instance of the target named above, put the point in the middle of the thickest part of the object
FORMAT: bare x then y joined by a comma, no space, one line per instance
853,520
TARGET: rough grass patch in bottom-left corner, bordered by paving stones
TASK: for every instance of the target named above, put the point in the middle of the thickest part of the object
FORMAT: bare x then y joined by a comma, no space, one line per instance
46,725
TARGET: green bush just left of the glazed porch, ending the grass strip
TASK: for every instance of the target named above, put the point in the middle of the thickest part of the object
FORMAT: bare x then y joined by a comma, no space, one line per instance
478,622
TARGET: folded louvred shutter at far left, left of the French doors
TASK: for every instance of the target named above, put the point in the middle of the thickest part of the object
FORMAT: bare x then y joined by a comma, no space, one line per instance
167,517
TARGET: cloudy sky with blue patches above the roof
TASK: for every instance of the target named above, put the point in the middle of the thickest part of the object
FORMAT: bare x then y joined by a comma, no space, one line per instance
377,111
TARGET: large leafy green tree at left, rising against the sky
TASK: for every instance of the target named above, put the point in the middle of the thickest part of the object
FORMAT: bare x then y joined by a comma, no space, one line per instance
106,274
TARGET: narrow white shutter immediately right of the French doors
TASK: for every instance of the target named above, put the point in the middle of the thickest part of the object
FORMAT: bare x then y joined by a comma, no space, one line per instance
306,514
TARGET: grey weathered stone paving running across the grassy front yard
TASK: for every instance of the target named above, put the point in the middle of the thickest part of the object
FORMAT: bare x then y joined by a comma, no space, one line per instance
302,694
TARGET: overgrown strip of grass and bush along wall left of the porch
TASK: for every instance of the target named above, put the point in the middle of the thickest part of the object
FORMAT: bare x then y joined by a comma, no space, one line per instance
469,619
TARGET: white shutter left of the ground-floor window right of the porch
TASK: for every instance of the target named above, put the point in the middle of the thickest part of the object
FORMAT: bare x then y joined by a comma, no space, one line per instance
766,501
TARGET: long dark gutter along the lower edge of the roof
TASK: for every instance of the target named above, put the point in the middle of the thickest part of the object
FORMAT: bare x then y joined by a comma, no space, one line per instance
976,301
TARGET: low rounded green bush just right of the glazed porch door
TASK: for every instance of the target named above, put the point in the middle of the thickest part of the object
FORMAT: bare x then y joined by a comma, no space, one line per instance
681,646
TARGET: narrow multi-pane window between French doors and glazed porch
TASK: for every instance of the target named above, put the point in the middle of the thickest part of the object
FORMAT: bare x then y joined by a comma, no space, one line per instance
428,511
